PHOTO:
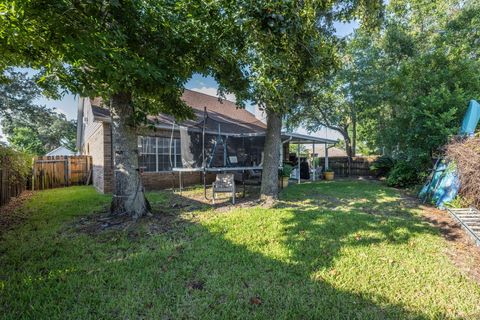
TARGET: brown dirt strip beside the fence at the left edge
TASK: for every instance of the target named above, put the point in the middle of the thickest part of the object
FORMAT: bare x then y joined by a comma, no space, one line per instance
10,215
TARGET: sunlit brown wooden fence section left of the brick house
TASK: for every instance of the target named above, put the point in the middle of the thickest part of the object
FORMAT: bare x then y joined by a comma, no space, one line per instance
61,171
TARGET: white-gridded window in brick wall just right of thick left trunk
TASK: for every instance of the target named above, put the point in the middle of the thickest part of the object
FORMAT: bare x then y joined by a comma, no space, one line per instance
154,154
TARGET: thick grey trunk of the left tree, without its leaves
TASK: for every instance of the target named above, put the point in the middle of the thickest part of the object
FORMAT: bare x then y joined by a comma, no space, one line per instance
128,193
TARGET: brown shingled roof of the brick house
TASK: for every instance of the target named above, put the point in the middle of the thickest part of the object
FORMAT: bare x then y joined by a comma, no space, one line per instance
220,112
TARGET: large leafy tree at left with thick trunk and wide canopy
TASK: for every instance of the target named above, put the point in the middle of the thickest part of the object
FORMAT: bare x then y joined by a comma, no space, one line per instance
136,54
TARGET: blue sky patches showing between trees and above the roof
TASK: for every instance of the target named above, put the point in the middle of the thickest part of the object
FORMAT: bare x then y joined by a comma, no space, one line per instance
68,104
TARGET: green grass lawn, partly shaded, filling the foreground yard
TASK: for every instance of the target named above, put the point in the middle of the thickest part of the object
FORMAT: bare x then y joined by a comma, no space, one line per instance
339,250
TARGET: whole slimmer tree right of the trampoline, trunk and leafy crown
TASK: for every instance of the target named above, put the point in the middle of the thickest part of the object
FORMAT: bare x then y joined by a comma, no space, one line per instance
289,45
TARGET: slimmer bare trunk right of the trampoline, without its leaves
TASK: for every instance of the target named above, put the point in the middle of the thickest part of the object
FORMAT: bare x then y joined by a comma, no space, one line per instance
273,143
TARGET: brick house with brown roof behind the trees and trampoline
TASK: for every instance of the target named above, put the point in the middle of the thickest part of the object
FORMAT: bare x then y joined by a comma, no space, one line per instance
233,137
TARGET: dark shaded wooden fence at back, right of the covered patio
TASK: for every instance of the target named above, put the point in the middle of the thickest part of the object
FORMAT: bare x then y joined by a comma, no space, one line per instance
360,166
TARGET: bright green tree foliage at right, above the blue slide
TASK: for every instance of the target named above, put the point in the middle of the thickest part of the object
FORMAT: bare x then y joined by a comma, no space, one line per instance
406,86
